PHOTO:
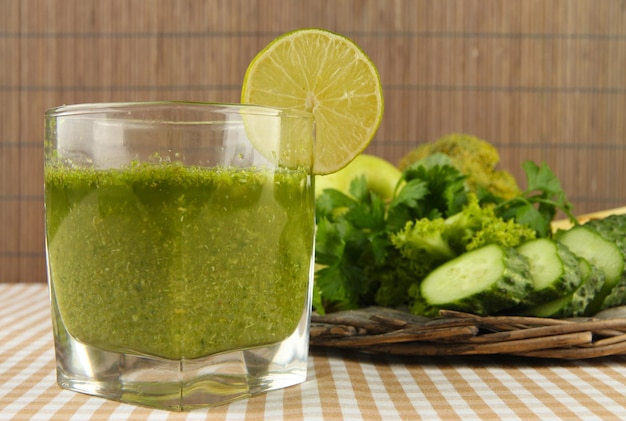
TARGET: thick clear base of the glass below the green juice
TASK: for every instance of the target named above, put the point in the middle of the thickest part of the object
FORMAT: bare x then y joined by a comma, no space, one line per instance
180,384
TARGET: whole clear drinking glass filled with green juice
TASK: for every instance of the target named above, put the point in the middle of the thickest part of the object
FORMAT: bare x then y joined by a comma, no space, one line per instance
179,243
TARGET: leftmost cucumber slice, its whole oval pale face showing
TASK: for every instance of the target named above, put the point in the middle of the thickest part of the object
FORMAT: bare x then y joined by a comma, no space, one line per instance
482,281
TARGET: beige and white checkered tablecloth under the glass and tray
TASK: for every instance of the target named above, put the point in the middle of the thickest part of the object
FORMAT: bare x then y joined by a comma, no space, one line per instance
340,385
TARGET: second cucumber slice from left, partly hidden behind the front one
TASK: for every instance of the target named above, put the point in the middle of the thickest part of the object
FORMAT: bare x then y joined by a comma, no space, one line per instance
553,268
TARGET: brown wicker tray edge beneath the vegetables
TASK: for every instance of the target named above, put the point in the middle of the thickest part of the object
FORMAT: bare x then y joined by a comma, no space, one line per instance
383,330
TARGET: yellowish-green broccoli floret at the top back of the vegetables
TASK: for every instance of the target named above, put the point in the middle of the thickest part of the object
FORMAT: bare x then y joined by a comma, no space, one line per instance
472,156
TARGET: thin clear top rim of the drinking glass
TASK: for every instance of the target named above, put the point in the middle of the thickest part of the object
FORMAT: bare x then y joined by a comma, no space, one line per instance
86,109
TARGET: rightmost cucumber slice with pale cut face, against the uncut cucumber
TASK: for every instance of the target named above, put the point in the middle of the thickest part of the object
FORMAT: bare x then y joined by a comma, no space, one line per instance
589,244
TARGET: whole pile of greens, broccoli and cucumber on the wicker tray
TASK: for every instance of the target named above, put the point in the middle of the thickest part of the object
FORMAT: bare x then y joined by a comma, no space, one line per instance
460,235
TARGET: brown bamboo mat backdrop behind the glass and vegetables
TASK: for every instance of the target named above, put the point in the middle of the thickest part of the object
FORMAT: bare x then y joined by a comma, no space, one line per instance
542,80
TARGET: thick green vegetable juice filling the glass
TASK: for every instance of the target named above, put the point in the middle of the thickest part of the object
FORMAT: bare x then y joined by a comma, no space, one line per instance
179,262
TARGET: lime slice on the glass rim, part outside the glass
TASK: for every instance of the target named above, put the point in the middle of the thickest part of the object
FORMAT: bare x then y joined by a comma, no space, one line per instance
328,75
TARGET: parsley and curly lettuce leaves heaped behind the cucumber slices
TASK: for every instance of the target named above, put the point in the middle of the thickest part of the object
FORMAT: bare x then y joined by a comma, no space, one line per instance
372,252
